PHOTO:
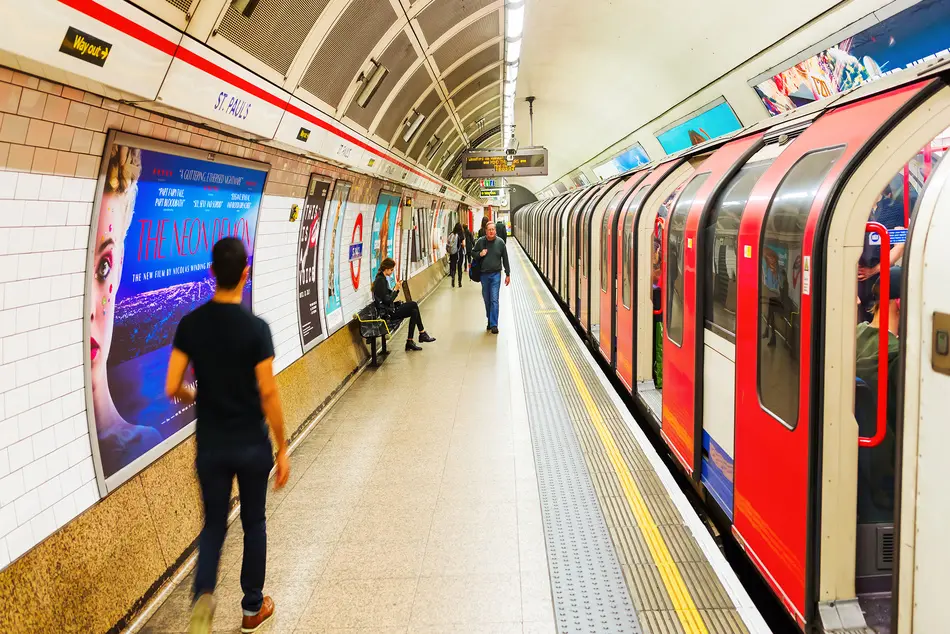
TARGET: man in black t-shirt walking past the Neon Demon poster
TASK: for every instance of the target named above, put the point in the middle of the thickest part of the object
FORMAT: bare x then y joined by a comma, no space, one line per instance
232,353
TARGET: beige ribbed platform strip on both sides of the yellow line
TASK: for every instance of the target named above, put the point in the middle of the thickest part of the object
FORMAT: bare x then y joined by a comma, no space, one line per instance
650,597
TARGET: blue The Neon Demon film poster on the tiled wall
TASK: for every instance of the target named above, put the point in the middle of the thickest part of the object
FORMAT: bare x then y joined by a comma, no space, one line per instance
159,210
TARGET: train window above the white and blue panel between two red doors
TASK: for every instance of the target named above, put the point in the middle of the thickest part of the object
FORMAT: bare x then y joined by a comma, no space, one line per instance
722,248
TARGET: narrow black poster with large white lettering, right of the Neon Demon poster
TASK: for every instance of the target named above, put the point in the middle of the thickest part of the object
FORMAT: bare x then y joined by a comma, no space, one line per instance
308,250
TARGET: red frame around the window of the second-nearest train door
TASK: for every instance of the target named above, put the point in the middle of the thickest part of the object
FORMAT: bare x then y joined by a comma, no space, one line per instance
682,421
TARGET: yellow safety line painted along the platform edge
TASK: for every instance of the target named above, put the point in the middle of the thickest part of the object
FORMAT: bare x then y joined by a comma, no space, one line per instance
683,603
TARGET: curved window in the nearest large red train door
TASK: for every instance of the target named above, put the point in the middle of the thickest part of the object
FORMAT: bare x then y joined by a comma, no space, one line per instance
780,278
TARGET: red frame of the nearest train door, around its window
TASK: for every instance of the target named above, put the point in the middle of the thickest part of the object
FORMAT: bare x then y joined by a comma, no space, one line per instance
777,464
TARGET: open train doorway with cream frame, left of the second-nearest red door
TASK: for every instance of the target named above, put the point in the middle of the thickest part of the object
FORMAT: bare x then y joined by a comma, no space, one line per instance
665,184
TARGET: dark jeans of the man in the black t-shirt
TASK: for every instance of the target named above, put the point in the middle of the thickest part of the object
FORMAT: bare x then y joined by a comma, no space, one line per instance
217,467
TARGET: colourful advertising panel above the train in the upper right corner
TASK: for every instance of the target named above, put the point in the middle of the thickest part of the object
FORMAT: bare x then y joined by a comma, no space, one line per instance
913,36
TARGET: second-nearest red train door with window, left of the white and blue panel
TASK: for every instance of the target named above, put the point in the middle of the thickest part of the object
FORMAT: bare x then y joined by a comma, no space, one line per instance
682,343
